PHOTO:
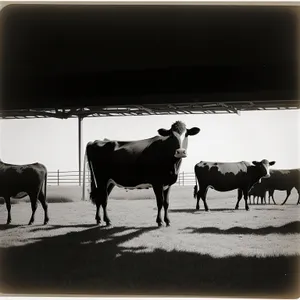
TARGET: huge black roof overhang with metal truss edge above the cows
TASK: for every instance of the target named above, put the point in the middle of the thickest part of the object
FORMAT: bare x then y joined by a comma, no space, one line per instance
106,60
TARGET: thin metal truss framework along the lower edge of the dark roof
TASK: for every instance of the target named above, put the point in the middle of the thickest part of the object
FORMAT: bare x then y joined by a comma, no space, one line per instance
234,107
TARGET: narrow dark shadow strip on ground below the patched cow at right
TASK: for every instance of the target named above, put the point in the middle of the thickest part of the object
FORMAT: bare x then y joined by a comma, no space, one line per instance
289,228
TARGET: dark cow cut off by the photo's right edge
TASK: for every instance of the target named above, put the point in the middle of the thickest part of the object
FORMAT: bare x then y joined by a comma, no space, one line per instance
282,180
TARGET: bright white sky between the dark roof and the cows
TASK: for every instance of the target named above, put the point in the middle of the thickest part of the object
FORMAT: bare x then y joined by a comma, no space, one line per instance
257,135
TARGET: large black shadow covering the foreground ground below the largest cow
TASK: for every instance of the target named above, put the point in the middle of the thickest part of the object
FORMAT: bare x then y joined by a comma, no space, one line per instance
95,261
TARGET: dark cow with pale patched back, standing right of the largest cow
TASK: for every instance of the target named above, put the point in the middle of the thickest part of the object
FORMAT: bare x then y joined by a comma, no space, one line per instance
225,177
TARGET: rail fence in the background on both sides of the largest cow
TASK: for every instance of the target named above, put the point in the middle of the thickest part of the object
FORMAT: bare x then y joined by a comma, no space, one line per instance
72,178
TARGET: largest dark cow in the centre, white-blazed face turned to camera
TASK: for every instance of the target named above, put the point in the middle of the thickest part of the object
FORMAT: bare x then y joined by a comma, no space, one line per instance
152,162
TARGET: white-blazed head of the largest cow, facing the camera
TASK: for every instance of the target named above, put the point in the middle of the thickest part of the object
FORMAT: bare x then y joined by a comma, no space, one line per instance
179,133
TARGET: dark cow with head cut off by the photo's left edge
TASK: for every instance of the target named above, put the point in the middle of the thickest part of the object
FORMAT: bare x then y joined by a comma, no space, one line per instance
18,181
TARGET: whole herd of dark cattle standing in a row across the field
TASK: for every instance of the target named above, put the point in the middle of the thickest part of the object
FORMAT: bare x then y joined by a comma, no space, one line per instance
152,162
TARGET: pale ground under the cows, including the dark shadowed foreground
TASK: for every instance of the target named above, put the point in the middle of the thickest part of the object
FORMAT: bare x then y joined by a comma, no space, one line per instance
222,252
